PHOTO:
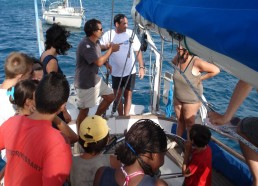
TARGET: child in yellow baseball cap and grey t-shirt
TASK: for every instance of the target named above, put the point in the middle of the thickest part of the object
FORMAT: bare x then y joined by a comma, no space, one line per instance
93,137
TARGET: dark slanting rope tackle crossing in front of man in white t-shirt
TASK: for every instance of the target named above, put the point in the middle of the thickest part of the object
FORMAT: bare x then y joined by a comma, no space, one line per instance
116,103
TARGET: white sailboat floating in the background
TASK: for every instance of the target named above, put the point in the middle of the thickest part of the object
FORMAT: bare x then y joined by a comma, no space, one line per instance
63,12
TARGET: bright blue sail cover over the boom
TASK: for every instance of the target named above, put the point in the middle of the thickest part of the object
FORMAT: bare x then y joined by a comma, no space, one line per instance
229,27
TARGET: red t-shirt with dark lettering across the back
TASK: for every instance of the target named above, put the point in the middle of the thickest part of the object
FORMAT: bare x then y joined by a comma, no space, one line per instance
37,154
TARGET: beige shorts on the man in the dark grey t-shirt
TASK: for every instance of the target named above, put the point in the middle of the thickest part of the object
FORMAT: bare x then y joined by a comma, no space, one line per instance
88,98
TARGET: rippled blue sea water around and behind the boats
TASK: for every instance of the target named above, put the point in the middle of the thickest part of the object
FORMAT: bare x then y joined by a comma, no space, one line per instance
18,33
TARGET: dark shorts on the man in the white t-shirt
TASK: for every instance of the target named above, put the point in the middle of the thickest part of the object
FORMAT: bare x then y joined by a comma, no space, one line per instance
130,85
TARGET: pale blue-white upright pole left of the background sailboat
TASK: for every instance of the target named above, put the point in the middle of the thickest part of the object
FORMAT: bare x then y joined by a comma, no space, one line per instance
40,38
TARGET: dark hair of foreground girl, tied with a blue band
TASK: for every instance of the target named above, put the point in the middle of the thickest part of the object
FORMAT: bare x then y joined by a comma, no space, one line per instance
145,136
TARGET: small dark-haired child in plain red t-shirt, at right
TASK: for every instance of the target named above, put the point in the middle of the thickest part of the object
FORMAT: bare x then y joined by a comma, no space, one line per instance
197,165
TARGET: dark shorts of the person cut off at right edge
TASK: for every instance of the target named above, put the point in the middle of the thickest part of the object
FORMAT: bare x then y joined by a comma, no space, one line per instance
249,127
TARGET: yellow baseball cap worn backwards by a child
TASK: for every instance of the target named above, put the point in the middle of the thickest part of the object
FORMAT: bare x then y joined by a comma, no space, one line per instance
93,129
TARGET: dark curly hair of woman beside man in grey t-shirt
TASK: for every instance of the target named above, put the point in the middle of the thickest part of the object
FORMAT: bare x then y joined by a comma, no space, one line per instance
56,37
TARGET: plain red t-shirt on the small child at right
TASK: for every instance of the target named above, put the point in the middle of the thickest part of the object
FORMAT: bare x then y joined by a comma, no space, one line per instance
200,165
